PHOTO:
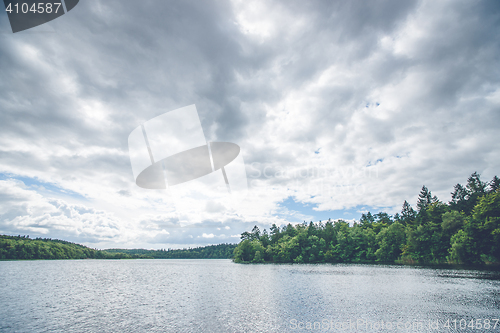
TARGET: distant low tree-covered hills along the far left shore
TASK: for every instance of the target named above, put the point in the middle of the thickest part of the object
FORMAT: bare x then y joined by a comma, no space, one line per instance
25,248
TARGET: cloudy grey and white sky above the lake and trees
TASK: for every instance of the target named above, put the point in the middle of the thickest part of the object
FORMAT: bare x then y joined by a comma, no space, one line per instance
339,108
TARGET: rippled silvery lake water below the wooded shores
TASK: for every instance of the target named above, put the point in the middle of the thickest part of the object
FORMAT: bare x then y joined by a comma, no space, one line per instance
221,296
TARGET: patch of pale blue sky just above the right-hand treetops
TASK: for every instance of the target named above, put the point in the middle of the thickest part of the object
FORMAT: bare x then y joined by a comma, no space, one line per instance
294,210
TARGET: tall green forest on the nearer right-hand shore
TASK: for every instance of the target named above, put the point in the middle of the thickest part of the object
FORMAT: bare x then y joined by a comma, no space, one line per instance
465,230
